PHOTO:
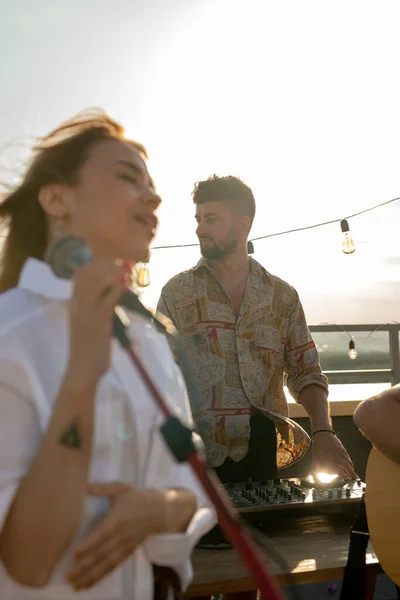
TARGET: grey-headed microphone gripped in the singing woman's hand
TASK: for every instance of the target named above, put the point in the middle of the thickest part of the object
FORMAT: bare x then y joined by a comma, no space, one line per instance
64,256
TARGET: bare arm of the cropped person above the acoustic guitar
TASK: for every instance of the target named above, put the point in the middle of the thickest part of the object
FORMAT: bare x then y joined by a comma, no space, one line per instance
379,420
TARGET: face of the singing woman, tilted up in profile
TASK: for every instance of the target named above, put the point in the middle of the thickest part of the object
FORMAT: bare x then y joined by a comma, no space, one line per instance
113,204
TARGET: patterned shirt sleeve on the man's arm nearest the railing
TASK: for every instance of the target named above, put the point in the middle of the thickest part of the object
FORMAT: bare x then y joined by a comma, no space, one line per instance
301,356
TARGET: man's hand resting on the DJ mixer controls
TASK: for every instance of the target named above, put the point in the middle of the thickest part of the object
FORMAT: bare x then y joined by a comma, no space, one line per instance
330,456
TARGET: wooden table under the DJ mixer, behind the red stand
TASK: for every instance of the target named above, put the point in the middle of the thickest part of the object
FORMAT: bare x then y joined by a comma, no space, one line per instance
315,549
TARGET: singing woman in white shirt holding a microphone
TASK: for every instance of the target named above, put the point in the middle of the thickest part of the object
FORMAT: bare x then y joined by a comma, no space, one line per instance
90,498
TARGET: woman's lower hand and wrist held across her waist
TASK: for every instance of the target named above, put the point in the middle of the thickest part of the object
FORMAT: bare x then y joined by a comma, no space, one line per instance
134,516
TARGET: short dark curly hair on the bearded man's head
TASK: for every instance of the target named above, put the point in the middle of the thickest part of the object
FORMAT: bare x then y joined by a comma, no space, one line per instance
231,190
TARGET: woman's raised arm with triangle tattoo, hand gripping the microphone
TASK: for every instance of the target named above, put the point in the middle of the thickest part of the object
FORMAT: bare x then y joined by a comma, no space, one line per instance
47,509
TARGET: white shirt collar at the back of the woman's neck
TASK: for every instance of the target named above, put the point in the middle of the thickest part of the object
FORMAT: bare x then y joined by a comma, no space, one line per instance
37,277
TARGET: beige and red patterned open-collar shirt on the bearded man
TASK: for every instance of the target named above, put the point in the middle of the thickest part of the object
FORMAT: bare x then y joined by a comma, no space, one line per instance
238,363
